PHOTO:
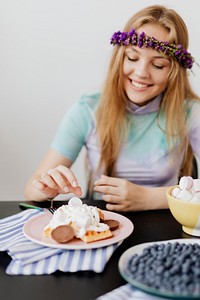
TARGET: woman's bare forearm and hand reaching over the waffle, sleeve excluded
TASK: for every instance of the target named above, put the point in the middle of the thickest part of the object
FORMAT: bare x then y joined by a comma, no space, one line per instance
52,177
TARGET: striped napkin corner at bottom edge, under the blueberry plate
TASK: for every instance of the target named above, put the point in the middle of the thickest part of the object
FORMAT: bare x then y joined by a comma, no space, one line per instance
127,292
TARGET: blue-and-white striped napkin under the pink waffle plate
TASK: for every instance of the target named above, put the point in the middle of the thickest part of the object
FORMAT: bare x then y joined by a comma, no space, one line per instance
29,258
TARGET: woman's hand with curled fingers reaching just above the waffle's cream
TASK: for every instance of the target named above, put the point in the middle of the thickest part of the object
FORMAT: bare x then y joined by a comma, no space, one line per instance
59,180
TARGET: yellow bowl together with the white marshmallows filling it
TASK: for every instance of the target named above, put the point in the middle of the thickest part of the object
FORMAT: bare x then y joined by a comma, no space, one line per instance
184,204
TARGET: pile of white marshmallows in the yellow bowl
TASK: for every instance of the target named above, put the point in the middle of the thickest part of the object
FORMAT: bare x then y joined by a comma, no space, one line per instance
188,190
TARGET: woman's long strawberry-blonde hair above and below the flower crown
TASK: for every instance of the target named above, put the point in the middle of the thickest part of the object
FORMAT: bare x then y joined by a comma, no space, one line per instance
111,114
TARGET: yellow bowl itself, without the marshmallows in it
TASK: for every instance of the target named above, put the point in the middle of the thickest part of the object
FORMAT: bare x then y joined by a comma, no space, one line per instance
186,213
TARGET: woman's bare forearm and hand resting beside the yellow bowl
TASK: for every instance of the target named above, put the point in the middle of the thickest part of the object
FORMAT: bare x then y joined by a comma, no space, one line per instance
122,195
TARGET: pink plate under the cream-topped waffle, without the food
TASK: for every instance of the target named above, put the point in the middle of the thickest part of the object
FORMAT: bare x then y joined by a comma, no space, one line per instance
33,230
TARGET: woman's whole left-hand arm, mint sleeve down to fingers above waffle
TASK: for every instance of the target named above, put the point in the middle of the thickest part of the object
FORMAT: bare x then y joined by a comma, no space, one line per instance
53,176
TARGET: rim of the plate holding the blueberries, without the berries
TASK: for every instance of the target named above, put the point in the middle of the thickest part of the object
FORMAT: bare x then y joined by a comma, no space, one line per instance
138,249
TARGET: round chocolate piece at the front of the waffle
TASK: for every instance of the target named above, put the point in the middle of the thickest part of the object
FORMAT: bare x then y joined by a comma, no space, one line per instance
62,234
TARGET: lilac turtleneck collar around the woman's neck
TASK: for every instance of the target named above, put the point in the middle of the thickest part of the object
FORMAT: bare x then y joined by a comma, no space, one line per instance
150,107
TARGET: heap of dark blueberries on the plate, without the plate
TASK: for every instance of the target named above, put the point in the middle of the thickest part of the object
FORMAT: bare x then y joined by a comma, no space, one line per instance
168,267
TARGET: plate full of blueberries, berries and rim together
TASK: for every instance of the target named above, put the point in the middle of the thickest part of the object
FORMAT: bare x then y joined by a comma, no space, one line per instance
168,269
